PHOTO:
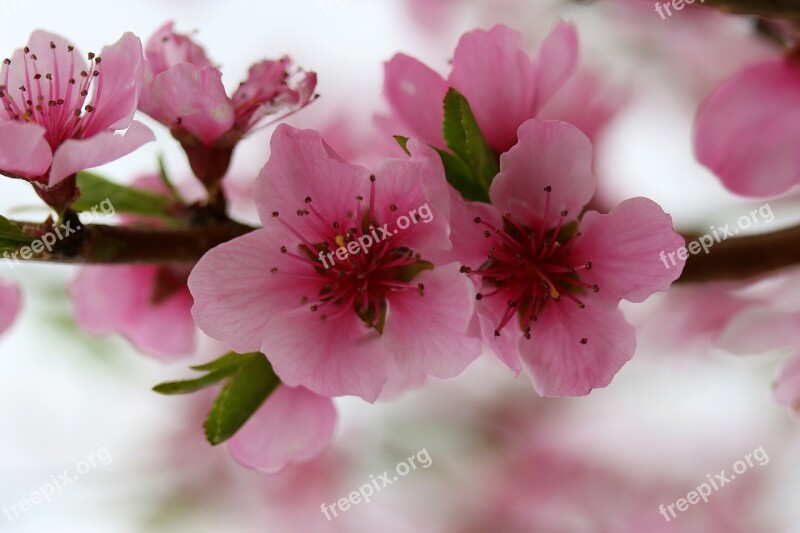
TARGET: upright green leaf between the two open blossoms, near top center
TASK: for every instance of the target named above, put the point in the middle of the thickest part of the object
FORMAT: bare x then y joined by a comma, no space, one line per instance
464,137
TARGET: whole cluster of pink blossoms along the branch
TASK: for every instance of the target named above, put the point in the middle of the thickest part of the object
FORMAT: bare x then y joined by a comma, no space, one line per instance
531,274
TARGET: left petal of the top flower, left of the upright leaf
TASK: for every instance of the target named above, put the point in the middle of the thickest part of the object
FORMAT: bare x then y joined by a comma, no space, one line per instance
416,95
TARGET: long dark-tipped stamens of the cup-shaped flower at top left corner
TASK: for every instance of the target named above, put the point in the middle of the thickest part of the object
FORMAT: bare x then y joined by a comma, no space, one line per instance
47,98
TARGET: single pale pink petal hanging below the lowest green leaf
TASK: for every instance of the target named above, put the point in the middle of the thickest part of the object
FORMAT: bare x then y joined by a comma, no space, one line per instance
293,425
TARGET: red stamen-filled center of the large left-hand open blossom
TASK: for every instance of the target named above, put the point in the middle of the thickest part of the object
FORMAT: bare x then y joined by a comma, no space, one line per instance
362,278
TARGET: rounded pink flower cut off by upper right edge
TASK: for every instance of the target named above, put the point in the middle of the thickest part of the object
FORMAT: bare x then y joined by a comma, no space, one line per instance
748,129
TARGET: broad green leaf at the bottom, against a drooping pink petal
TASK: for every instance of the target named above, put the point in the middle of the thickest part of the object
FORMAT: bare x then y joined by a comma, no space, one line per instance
249,387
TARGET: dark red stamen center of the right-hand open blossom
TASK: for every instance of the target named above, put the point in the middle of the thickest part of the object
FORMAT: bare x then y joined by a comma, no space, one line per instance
527,267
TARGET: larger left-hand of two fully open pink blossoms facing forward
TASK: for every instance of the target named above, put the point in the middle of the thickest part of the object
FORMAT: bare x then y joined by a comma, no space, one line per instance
335,327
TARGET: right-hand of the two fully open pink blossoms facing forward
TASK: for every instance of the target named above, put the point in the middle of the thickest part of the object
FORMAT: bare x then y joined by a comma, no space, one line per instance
549,291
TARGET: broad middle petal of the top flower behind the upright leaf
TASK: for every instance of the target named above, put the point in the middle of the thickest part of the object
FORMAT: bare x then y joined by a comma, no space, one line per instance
492,70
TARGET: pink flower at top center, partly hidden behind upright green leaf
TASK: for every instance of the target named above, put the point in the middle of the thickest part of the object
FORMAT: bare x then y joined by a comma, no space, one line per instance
503,85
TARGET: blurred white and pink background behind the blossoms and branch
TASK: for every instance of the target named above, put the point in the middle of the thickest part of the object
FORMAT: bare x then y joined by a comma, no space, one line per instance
502,459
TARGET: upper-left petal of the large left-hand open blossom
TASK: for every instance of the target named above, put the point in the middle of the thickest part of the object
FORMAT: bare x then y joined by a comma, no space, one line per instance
302,165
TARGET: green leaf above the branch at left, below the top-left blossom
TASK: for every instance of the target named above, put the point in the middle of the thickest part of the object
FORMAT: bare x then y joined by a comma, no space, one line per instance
96,189
